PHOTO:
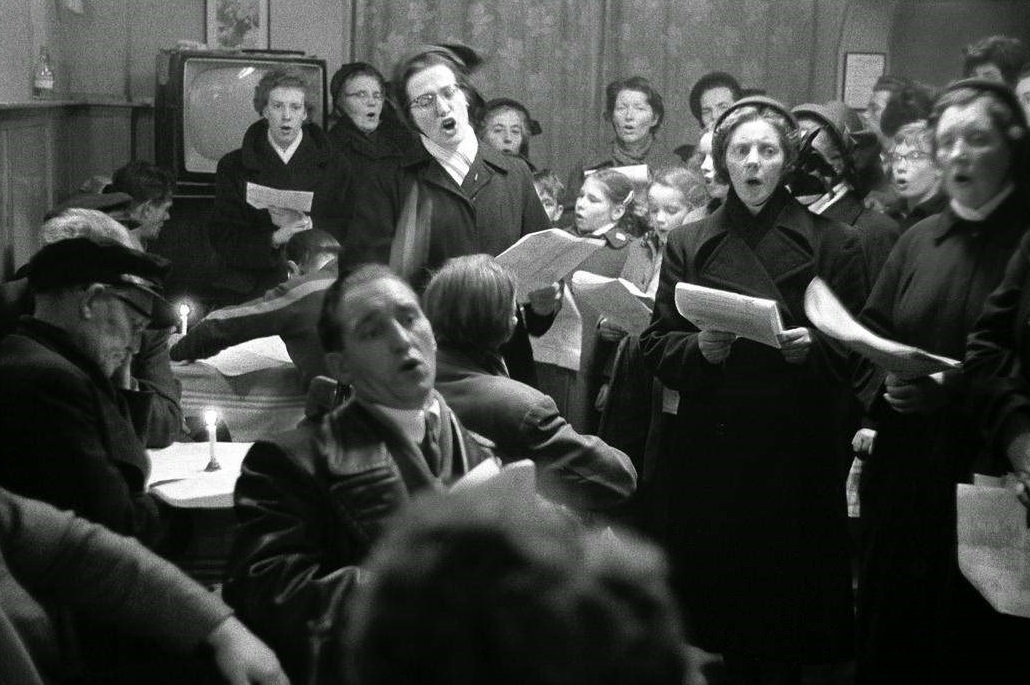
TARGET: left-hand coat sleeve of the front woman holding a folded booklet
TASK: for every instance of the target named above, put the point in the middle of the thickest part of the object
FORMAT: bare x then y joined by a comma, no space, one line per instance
670,344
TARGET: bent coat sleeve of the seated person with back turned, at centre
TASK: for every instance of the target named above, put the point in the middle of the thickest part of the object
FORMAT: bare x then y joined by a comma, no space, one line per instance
577,470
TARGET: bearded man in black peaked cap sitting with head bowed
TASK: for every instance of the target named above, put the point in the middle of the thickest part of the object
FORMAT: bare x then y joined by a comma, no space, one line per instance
71,436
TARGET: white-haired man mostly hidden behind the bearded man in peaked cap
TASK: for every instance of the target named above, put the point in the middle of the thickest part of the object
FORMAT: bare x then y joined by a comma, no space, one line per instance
150,370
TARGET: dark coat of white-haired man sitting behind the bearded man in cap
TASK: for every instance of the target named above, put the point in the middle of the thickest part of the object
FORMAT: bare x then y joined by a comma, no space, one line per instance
152,368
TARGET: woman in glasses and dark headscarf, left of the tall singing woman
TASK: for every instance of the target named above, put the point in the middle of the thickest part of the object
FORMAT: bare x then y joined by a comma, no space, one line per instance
367,130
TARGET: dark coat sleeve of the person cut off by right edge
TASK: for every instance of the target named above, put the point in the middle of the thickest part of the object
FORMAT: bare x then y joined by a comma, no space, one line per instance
999,392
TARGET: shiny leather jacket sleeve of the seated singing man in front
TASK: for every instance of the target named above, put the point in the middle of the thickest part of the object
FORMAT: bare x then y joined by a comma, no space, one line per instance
281,578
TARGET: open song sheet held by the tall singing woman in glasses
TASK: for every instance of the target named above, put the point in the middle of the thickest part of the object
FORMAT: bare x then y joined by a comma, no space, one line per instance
543,258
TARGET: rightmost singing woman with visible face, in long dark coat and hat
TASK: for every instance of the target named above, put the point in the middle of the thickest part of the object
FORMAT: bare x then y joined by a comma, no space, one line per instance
919,621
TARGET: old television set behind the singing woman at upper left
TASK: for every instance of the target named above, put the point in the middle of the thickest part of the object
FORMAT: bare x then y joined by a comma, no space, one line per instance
204,104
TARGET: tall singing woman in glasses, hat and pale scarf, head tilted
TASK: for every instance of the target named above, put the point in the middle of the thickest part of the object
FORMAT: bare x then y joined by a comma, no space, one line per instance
454,196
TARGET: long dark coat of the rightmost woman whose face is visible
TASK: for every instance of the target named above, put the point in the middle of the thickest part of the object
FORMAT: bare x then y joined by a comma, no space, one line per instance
931,294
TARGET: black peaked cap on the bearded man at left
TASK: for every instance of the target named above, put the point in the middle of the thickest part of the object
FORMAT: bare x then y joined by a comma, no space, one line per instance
82,261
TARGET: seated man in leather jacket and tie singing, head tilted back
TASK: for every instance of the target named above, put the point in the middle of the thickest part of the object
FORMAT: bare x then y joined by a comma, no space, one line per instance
312,503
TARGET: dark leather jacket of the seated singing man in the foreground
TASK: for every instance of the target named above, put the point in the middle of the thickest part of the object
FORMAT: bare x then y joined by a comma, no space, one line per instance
307,521
